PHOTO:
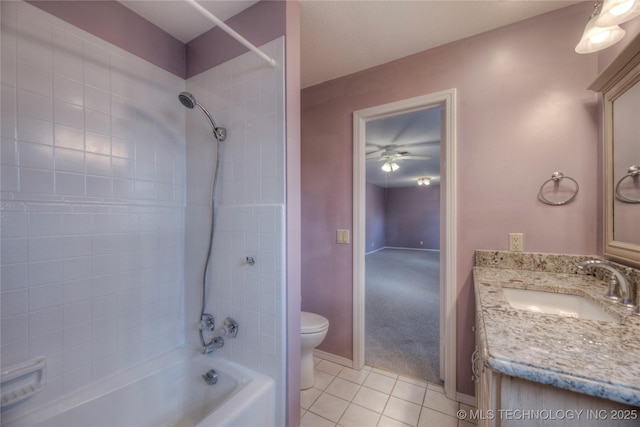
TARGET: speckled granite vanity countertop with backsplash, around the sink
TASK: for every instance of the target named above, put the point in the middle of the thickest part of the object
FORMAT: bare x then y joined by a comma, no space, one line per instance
587,356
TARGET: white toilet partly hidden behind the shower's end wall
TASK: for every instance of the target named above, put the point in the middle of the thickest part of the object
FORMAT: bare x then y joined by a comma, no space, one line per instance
313,329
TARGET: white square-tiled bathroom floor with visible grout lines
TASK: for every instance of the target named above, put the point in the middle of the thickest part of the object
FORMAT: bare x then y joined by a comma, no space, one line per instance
344,397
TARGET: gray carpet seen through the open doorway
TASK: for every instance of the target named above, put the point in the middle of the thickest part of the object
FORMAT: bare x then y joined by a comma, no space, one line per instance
402,306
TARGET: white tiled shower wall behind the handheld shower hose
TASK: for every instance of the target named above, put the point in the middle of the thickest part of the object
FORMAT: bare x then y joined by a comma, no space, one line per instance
245,95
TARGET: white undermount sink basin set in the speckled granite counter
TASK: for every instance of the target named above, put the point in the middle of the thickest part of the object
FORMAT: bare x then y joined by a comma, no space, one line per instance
553,303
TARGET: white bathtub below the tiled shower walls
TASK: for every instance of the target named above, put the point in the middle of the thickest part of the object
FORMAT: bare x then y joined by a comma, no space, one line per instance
166,391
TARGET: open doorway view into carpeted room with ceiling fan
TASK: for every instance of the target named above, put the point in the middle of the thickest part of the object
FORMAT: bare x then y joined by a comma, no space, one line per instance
402,262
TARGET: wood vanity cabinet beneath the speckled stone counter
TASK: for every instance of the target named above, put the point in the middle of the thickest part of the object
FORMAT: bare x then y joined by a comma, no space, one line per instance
506,401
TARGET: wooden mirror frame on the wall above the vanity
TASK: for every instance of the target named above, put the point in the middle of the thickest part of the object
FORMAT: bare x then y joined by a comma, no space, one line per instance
614,81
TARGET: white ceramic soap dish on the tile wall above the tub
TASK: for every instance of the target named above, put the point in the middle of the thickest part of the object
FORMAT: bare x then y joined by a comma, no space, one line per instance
20,382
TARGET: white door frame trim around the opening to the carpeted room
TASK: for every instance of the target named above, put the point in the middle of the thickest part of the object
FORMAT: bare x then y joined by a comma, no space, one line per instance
447,99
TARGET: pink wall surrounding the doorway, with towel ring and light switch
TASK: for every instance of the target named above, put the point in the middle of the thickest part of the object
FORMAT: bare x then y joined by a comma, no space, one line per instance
523,111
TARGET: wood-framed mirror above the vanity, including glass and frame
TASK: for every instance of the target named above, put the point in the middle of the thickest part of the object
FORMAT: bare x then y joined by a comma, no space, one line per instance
620,85
